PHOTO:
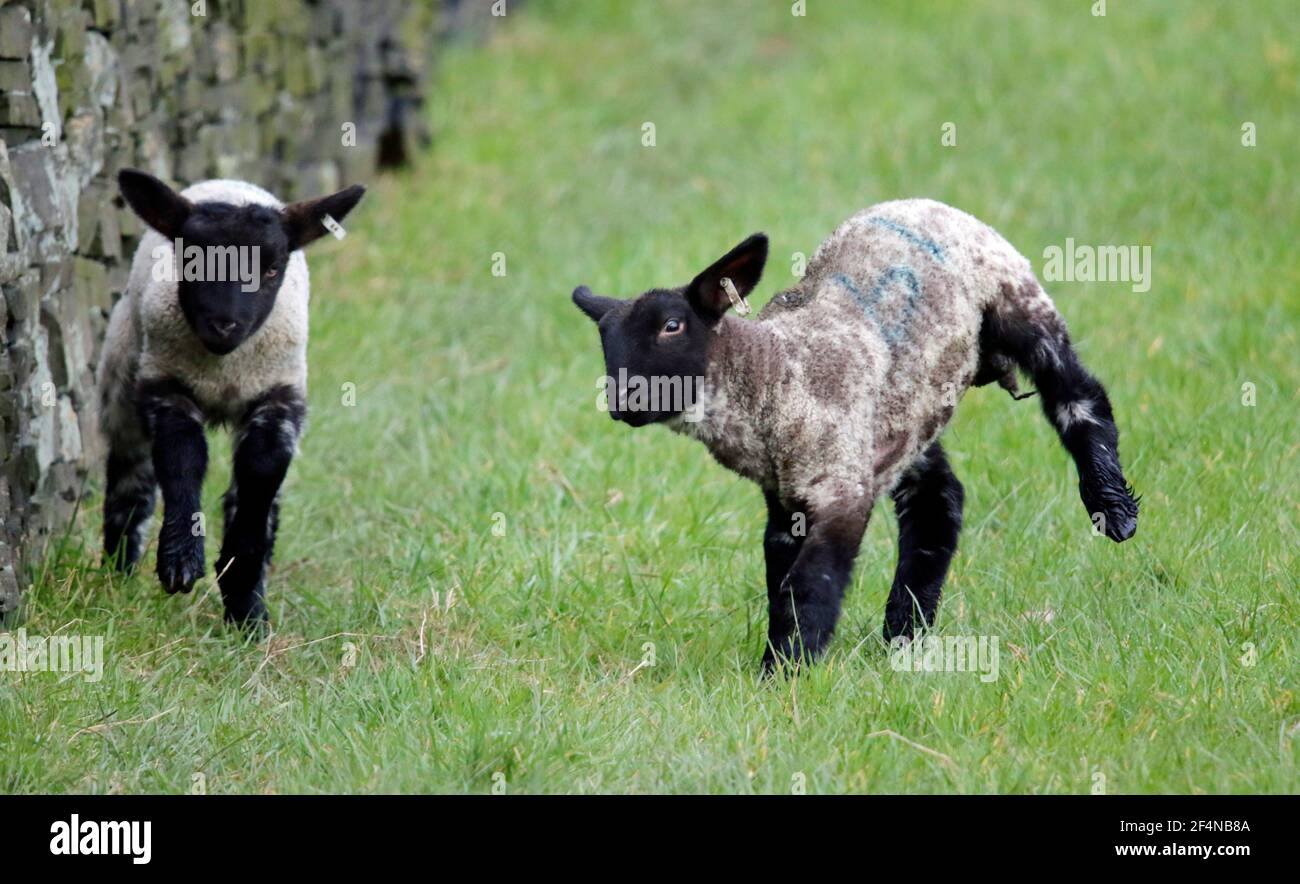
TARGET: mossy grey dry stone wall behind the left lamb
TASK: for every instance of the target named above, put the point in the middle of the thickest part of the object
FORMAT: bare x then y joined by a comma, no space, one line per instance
302,97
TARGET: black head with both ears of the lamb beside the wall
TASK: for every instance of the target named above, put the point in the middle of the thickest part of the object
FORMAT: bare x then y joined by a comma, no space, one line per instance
231,259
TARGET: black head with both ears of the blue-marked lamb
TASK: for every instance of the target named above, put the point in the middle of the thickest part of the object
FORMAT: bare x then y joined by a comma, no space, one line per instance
657,345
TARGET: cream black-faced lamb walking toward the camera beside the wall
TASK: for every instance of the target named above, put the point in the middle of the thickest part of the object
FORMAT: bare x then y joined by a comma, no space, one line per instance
213,331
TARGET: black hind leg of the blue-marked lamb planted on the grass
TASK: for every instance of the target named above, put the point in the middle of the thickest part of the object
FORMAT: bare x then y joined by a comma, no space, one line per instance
929,501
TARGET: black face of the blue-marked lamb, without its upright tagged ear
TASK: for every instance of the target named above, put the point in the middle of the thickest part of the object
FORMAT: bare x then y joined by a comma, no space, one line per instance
656,354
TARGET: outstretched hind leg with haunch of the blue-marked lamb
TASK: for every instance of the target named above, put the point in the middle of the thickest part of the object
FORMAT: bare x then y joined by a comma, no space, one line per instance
1022,330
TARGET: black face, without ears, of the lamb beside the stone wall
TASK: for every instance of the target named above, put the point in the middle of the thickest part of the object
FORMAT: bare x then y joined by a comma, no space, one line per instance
240,254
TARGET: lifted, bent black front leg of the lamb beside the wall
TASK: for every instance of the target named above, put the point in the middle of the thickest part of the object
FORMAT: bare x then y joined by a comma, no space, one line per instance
180,454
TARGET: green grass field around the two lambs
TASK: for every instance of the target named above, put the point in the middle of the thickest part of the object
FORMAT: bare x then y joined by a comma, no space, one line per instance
419,649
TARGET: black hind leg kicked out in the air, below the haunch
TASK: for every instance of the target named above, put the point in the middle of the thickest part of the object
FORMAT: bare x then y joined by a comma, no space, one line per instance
1078,408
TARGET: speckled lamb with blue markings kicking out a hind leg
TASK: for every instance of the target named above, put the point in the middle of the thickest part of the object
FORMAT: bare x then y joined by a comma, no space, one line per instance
839,392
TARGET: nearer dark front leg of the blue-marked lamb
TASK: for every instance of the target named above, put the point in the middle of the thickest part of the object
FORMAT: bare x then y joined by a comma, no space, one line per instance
807,606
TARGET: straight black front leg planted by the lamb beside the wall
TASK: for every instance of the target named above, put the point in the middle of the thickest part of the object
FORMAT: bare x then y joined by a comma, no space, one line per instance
265,448
